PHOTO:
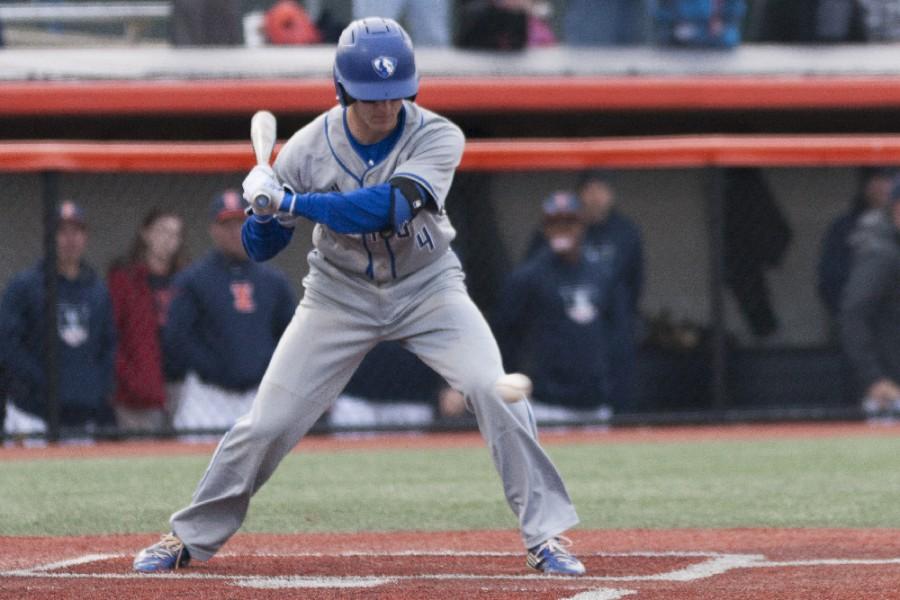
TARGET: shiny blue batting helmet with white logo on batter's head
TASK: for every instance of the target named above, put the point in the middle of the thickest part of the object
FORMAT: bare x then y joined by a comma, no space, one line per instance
374,61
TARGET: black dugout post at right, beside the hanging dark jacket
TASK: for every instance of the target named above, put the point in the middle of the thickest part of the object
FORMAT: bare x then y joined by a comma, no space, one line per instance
719,348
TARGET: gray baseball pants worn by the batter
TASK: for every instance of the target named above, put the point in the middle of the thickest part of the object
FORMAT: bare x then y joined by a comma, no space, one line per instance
339,320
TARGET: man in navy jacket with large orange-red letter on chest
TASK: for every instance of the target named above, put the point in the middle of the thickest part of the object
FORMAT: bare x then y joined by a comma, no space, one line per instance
224,322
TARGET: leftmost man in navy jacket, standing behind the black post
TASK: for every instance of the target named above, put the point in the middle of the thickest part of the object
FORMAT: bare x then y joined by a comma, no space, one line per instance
86,342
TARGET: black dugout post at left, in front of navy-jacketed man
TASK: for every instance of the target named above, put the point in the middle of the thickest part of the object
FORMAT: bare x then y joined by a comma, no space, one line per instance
50,198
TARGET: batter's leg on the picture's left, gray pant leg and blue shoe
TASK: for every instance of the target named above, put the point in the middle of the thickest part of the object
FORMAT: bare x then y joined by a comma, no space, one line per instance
315,358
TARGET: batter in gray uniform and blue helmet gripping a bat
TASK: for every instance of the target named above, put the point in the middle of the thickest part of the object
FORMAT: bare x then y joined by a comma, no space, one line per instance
372,173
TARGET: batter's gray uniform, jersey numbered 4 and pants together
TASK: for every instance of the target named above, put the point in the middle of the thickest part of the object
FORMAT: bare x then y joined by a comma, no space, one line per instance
361,290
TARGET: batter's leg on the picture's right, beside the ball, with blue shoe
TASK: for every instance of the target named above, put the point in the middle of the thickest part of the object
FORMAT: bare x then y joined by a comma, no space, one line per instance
448,332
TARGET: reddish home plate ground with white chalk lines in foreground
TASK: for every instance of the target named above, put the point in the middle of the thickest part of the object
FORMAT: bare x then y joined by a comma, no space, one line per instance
794,564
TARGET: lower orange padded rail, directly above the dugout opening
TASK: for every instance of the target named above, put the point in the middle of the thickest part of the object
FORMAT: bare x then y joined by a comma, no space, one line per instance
481,155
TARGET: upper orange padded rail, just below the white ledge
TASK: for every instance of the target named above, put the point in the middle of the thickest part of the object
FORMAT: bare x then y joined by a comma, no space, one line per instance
464,94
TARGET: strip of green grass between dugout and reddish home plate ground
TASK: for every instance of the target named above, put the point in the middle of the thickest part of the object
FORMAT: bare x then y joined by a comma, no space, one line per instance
840,482
